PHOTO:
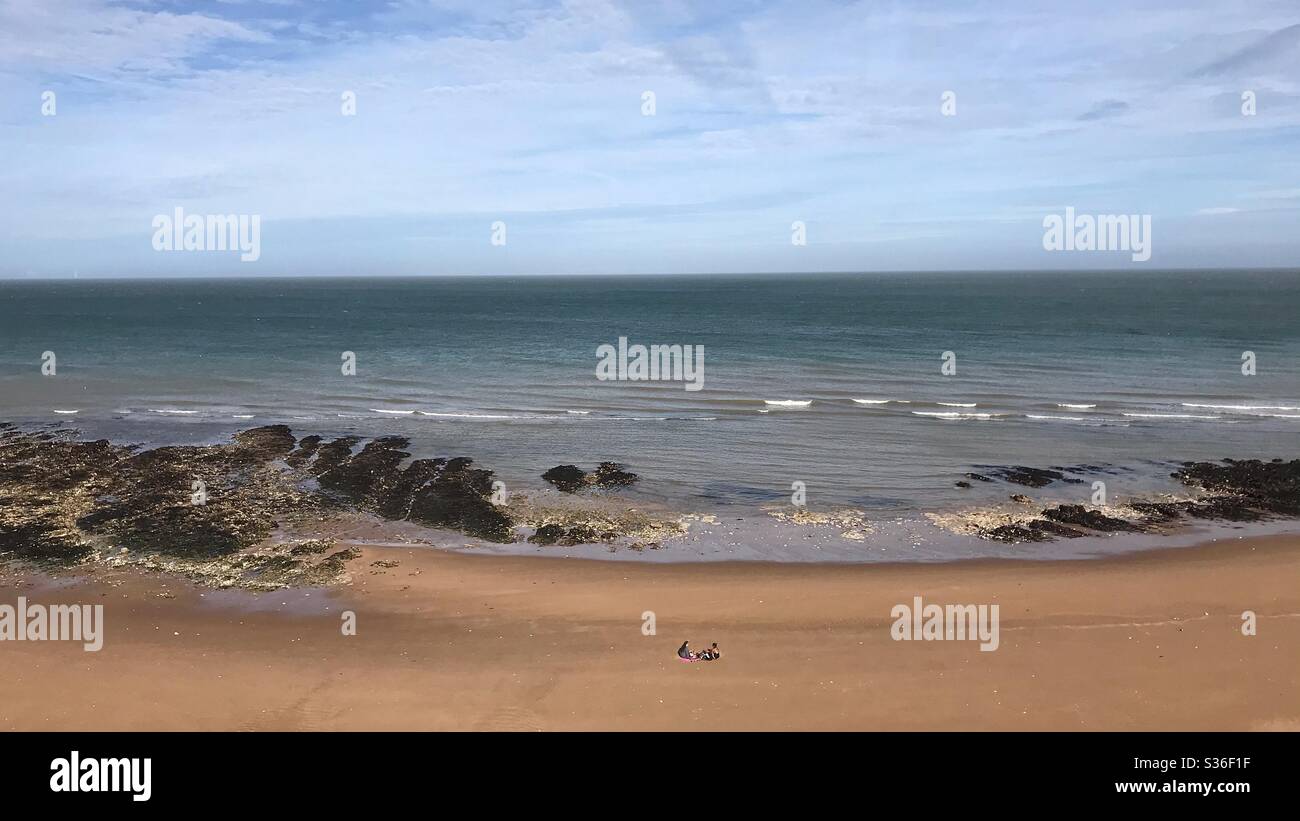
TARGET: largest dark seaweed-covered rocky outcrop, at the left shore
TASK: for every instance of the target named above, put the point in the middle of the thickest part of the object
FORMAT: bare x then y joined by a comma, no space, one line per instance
63,499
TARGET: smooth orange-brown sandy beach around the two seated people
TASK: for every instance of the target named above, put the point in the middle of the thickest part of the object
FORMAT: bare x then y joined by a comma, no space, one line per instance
463,642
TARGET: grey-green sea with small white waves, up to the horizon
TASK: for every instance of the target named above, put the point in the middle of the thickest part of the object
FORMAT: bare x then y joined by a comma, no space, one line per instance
504,371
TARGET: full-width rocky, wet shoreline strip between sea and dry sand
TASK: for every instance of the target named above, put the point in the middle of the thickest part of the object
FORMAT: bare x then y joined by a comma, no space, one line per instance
270,510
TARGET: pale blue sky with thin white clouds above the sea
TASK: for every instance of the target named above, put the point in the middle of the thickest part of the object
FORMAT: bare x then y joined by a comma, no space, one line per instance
534,115
